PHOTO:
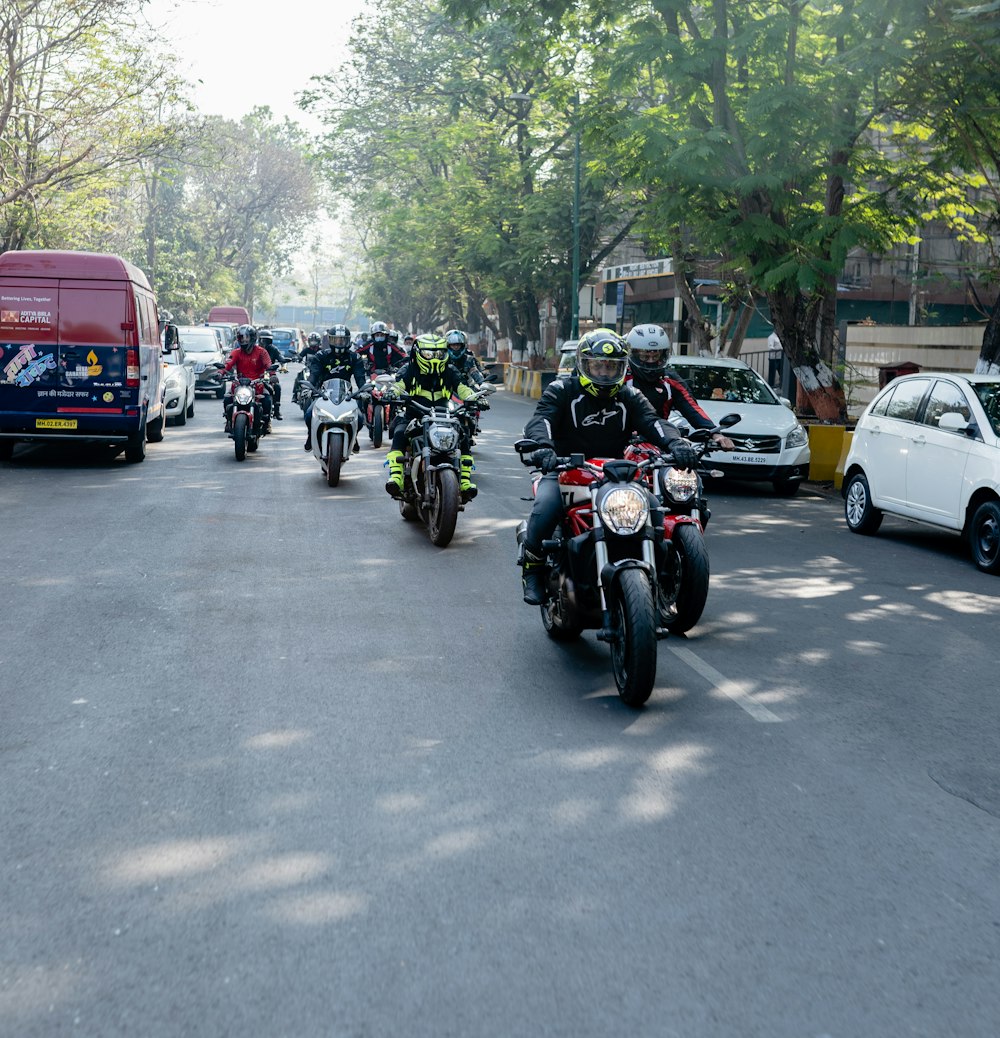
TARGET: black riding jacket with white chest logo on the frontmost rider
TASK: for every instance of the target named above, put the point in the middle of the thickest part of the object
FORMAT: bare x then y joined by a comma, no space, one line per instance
572,421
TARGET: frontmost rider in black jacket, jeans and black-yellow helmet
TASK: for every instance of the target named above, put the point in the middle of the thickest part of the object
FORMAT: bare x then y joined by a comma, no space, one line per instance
592,413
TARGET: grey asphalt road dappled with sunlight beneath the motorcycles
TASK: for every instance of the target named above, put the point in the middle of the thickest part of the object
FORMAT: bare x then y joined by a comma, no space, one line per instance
273,764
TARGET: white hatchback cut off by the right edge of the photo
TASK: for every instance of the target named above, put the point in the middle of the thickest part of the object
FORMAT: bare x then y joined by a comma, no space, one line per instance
928,449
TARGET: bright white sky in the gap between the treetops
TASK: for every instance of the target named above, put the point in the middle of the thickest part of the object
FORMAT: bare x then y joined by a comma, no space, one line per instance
248,53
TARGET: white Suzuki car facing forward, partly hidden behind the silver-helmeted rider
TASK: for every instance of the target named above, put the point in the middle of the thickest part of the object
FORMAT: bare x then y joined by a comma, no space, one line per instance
772,445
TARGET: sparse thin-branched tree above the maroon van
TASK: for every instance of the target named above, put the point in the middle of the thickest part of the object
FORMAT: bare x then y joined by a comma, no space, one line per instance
73,90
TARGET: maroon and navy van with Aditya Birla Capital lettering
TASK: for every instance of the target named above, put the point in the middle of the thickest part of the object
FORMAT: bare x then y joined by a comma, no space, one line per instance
79,352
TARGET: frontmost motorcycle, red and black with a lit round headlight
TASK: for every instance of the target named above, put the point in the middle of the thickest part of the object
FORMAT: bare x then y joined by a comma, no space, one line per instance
602,564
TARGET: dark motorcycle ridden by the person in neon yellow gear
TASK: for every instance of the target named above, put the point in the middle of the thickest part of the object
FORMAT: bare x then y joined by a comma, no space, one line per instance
433,468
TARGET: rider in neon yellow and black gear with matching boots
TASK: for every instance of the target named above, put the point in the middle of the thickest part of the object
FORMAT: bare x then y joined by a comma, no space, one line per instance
429,379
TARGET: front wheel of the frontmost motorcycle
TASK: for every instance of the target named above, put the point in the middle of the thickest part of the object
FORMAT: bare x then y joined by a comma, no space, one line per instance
634,646
